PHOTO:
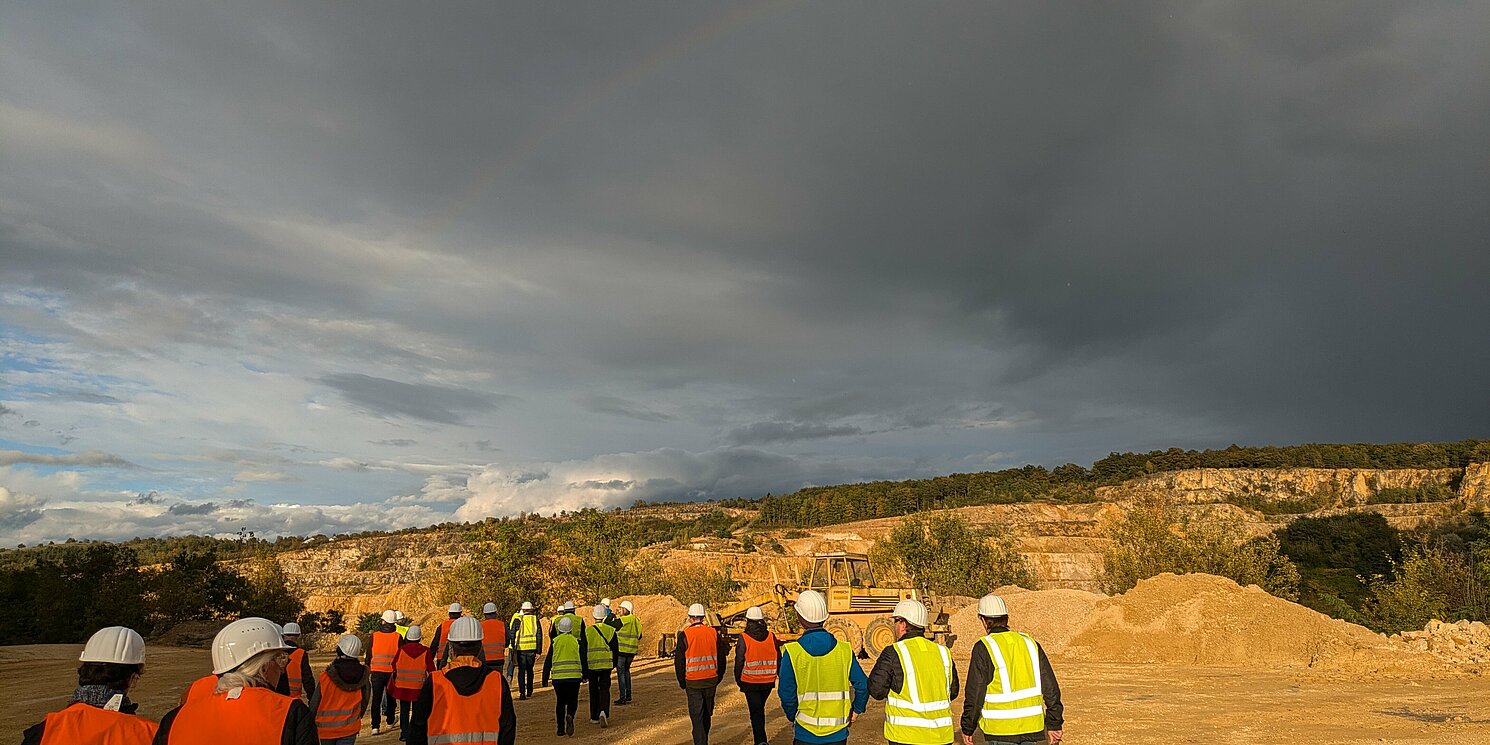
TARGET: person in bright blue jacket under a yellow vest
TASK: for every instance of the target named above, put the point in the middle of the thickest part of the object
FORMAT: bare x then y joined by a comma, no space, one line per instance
822,688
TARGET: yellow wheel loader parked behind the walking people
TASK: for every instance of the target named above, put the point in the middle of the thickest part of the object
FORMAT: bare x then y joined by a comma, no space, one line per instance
859,609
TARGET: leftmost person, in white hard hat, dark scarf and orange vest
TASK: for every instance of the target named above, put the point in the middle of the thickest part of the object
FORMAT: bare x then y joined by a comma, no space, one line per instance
101,710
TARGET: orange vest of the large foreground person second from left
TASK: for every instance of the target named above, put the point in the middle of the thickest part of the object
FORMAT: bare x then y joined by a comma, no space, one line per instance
256,717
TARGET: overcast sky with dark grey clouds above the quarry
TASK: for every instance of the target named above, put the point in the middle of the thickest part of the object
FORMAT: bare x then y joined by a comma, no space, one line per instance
326,267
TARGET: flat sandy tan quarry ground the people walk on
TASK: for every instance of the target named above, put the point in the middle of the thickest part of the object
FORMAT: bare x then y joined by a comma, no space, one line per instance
1105,703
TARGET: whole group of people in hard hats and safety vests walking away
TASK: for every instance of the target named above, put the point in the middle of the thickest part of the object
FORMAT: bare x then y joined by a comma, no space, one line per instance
264,692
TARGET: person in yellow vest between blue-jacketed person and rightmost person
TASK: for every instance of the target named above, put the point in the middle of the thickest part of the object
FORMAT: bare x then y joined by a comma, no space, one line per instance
917,682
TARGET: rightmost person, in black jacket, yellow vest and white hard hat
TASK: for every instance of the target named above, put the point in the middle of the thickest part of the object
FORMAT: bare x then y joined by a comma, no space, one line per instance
1012,695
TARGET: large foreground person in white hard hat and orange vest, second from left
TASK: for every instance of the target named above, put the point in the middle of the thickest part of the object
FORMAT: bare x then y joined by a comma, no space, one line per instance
250,658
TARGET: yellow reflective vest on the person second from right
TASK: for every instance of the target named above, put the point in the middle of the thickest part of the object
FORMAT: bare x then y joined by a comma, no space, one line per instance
922,714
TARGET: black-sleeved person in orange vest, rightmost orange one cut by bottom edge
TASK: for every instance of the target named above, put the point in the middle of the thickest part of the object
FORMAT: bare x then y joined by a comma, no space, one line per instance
467,703
